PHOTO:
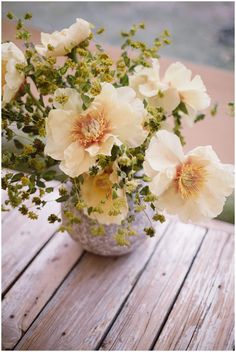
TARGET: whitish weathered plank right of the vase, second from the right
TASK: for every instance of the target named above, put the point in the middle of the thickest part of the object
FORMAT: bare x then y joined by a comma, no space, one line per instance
148,305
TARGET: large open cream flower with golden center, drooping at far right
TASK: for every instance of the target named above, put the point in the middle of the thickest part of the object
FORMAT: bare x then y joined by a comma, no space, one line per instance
193,186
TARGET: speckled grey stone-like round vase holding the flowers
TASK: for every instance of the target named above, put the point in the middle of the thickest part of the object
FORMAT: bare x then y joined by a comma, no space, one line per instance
105,245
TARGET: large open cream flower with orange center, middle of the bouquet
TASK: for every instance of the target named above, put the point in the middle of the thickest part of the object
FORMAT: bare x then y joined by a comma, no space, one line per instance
77,137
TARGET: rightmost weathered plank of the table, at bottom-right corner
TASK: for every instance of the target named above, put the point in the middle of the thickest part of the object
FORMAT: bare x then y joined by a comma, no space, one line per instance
203,315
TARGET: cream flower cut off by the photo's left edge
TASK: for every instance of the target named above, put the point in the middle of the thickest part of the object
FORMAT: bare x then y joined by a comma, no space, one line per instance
12,79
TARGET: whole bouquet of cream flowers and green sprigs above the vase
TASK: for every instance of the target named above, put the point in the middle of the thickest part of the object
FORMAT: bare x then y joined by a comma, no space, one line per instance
111,129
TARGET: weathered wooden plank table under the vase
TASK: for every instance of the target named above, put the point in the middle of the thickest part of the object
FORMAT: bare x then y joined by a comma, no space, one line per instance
175,292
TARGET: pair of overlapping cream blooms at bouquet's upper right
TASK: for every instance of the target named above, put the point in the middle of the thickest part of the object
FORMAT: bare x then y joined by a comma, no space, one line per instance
175,87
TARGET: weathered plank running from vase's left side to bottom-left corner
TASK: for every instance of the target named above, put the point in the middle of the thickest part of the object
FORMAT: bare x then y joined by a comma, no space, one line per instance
27,297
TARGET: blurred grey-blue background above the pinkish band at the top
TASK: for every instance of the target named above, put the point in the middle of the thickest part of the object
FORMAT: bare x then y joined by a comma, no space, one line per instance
206,27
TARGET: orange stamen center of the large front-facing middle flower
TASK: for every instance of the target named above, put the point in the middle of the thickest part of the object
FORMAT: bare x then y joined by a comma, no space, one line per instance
90,129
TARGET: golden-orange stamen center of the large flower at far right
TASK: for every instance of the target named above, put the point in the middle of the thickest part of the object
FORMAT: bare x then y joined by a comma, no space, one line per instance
190,178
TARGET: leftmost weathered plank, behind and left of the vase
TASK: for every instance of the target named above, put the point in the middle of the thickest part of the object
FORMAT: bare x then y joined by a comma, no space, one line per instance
22,238
